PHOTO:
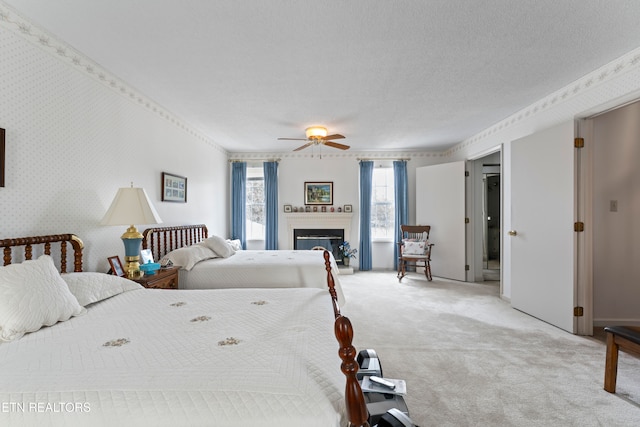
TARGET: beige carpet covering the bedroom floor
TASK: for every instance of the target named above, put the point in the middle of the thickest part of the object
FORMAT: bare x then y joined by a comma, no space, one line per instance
469,359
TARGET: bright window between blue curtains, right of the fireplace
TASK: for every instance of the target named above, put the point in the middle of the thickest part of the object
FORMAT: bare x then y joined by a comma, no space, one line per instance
382,204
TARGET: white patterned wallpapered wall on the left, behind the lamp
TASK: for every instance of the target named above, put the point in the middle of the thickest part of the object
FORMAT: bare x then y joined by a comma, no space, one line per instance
73,138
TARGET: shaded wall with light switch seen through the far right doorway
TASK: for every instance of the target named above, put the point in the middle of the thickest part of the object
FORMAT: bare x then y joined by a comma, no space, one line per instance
616,150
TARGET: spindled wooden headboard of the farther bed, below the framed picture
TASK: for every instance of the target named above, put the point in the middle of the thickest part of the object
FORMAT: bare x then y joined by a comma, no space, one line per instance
162,240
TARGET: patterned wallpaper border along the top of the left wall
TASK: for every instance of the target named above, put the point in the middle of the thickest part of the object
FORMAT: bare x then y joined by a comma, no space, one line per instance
17,24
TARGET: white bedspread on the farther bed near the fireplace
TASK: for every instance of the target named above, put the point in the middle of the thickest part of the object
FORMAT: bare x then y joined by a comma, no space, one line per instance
262,269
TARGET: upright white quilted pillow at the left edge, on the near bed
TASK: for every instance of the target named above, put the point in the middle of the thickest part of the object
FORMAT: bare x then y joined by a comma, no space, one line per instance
33,295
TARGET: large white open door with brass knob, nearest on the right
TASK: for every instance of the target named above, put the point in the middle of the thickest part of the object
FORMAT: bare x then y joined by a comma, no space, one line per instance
542,218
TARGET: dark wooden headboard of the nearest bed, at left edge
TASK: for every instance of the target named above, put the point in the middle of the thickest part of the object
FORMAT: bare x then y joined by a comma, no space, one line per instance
8,246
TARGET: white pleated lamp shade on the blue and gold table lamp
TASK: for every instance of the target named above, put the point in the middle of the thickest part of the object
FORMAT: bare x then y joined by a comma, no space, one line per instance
131,206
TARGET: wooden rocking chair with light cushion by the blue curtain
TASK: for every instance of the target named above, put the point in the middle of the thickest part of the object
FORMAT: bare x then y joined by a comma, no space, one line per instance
414,249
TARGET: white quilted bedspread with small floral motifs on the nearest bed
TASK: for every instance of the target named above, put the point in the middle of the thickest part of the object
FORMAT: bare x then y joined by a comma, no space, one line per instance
231,357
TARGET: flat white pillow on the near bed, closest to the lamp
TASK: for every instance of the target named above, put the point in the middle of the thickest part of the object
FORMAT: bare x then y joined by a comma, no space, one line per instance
93,287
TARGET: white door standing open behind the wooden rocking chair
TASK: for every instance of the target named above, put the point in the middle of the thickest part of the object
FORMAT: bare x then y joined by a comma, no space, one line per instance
440,203
